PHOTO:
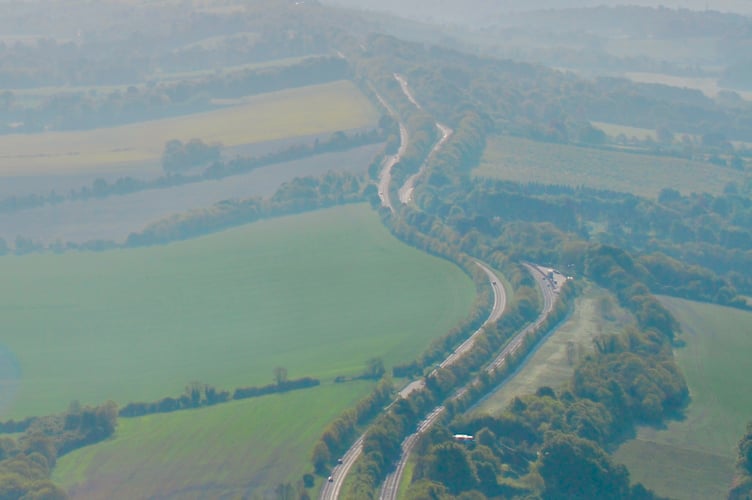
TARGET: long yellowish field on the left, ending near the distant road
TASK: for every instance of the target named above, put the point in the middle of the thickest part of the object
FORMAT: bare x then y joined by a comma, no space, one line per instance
276,115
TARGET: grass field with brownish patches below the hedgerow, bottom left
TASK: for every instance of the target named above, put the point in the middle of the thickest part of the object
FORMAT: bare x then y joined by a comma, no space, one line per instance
235,450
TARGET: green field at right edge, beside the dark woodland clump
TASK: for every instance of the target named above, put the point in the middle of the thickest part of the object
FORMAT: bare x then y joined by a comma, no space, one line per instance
694,457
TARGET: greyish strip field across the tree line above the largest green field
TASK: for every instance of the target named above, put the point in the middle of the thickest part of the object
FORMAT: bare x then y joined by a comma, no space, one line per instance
115,217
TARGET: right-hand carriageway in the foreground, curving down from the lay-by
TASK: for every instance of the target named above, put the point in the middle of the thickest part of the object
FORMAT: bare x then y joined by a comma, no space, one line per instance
549,288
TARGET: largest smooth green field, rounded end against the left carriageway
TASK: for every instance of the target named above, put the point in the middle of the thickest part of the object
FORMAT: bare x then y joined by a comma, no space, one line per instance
318,293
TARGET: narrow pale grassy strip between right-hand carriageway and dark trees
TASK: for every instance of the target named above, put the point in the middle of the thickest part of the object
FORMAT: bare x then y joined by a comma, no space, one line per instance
551,365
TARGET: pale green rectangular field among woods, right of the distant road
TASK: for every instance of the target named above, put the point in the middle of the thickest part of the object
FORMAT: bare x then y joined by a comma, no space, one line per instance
522,160
